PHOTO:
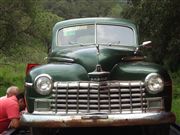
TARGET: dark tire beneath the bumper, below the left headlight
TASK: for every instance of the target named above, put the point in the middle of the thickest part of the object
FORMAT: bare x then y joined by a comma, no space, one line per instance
44,131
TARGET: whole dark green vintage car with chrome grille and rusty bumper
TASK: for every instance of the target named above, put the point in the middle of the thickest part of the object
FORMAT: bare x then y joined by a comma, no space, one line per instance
96,76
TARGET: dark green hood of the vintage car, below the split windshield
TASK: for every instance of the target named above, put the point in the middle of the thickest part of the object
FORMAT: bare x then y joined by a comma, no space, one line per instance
89,57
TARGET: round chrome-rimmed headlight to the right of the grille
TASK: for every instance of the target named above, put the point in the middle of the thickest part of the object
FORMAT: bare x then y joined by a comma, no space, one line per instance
154,83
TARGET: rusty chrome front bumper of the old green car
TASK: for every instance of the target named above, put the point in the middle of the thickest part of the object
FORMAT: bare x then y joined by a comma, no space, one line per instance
58,121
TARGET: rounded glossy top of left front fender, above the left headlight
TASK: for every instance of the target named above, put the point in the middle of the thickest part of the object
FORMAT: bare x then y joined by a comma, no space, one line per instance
59,72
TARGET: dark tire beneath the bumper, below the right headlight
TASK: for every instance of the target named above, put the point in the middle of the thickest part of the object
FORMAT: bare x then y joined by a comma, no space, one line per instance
163,129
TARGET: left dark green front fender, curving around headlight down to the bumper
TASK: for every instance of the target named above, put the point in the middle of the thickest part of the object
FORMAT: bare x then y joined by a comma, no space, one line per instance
58,72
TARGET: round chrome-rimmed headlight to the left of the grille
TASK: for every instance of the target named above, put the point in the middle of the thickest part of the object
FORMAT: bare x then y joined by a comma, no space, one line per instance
43,84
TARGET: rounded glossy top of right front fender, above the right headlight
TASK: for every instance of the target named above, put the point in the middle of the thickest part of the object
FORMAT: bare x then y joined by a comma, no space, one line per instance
136,71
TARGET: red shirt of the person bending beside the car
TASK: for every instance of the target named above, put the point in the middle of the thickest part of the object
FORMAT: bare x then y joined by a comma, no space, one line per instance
9,109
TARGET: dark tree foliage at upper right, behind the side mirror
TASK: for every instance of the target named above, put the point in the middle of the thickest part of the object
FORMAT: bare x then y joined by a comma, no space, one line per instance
159,21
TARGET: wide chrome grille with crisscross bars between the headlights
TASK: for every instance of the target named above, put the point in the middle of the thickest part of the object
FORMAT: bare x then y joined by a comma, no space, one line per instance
98,97
